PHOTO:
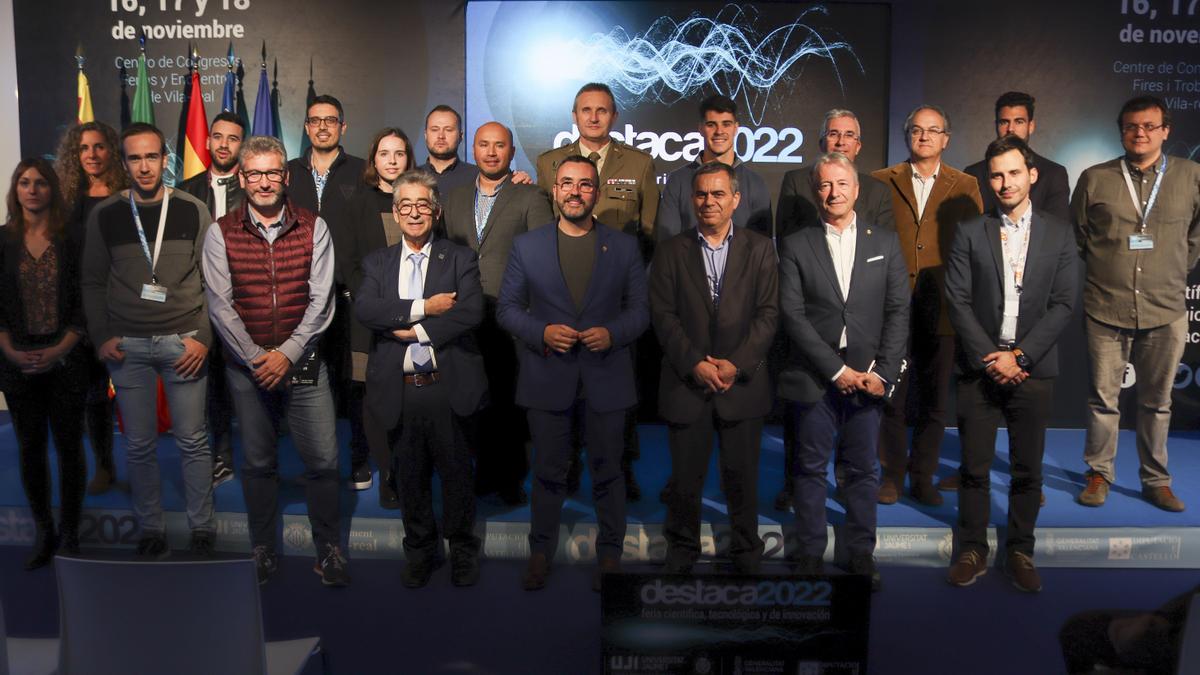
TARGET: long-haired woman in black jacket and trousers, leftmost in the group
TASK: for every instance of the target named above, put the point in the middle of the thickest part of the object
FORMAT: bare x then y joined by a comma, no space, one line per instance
44,374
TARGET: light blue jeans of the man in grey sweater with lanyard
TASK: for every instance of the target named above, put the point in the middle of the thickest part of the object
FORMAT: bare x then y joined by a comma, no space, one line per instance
137,393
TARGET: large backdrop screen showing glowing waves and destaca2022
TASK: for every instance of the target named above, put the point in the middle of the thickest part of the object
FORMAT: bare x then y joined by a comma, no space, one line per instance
785,64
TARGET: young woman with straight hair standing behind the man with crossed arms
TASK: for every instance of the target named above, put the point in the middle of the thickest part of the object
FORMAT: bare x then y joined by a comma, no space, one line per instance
373,228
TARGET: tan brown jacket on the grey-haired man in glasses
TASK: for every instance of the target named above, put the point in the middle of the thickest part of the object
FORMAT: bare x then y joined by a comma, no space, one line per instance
955,199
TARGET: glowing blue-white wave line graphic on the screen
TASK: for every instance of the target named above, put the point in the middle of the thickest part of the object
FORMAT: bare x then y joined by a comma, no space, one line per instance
673,61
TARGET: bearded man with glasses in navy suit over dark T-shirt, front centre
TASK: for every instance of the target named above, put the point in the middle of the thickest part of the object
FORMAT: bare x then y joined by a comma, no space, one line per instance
574,296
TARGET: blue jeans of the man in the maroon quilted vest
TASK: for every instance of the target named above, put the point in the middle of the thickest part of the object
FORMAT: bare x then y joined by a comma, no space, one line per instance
310,413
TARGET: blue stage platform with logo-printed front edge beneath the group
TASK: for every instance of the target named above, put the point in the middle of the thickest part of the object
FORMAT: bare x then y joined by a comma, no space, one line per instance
1126,533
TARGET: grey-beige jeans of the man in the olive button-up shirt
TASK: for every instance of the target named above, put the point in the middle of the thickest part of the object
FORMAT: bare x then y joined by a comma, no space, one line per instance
1155,355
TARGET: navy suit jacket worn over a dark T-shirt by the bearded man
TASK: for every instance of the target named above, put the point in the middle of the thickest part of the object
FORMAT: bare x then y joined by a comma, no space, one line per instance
535,296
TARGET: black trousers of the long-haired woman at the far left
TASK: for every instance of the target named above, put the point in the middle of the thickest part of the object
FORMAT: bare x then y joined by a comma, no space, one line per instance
40,409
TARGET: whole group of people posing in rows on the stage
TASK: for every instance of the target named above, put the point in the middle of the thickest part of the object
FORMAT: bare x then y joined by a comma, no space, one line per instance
453,312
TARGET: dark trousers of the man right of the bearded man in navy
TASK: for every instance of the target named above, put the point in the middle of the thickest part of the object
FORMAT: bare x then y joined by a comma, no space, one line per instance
692,446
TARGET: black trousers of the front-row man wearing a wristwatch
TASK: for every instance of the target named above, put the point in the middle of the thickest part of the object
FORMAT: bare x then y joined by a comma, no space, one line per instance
1025,409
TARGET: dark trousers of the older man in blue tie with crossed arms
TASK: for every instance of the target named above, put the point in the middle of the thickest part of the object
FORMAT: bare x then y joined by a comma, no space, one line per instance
431,438
